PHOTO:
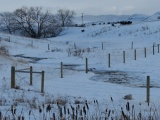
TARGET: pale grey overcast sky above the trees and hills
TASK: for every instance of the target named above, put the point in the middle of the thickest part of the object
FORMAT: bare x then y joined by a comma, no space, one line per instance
88,7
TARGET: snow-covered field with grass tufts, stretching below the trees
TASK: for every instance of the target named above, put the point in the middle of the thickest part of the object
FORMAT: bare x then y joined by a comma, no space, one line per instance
107,85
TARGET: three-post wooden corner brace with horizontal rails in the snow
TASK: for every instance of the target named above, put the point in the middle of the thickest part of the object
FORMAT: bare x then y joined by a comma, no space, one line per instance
26,70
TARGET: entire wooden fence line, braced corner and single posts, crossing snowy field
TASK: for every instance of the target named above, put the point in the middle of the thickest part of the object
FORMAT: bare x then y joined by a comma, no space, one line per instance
136,51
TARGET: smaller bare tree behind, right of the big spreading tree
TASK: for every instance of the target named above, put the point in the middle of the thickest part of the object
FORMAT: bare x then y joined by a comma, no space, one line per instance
65,17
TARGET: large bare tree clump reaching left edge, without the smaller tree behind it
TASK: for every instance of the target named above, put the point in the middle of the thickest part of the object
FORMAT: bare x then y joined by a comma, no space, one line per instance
32,22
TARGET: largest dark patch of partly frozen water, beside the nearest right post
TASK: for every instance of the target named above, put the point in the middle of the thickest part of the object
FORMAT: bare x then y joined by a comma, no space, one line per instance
131,79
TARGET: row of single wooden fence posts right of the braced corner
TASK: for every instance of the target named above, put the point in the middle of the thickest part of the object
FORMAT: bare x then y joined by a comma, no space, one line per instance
123,57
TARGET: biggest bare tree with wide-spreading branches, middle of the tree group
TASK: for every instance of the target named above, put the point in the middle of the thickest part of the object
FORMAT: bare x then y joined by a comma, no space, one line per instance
36,23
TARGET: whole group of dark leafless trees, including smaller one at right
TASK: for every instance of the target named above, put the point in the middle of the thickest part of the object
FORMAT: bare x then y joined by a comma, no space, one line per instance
35,22
